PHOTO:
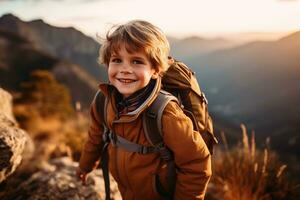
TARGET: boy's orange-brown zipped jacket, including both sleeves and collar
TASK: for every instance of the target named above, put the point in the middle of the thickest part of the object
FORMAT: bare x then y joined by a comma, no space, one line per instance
134,172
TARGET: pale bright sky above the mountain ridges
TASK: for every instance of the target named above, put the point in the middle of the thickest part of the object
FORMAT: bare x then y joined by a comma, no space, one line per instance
178,18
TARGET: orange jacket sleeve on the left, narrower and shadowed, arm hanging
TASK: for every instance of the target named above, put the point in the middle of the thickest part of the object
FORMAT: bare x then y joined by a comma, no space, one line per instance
91,151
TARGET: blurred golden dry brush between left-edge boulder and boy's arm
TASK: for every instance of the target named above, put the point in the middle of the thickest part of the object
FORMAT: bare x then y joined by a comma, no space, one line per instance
52,137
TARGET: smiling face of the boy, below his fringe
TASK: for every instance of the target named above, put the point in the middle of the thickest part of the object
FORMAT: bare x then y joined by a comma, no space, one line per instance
129,72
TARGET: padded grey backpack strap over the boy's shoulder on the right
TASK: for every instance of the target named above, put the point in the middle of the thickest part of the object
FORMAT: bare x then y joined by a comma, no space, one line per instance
153,115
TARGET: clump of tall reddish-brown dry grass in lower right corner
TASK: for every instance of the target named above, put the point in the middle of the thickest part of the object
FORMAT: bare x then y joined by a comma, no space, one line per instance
247,173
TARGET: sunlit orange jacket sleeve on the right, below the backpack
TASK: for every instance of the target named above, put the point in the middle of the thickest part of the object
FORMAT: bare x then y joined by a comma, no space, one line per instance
192,157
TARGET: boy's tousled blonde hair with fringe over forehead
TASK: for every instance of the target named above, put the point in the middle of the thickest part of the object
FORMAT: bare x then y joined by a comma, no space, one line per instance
137,35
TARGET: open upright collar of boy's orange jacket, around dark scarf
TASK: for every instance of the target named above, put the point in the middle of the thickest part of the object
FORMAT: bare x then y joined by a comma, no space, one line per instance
110,92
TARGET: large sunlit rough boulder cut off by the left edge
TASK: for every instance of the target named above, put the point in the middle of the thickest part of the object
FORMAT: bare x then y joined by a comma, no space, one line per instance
13,140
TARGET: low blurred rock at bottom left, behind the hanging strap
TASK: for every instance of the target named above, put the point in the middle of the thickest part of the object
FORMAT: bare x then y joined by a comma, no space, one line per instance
58,181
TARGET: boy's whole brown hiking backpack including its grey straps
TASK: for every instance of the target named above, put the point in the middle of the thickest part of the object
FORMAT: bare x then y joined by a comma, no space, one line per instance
179,84
